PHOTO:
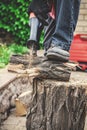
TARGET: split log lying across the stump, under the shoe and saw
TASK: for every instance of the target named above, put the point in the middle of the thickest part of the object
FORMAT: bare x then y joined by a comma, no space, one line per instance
41,67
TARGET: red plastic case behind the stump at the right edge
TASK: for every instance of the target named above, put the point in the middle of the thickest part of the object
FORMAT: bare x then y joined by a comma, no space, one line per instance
78,50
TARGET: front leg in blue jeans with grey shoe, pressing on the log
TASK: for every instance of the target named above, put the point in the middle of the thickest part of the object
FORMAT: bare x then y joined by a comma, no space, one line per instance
66,19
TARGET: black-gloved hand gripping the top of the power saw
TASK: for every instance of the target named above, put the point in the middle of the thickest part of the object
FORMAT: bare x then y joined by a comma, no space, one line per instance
40,9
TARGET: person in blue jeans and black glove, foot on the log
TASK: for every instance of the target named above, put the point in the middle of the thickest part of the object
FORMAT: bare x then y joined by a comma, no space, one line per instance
59,31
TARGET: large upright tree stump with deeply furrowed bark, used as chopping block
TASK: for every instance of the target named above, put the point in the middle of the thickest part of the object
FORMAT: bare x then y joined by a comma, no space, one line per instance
57,105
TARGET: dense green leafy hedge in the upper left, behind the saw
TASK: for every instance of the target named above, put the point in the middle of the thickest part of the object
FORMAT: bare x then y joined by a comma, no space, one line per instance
14,19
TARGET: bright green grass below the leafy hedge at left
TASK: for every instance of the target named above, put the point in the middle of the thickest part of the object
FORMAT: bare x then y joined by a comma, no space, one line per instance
7,51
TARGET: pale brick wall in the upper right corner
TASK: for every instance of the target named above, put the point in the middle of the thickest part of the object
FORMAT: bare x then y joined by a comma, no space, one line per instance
82,21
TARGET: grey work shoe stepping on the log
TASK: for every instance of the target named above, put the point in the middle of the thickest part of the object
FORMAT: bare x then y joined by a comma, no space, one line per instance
56,53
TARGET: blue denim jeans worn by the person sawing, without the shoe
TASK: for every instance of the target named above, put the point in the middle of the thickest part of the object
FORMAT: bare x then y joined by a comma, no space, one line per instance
60,31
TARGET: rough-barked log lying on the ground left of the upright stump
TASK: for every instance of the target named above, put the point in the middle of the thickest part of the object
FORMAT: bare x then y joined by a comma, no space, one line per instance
11,92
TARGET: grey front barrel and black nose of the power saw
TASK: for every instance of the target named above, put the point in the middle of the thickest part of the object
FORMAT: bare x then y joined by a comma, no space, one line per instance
32,42
